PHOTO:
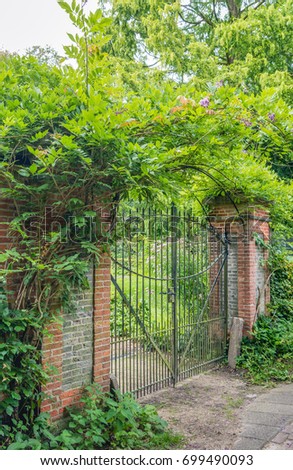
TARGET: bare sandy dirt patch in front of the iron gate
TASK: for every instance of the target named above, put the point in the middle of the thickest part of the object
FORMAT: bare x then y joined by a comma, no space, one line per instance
206,409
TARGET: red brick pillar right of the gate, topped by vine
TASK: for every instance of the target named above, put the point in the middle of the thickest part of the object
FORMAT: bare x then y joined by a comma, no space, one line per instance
247,272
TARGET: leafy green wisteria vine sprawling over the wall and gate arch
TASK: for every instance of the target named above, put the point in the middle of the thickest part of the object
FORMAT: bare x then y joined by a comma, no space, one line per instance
109,128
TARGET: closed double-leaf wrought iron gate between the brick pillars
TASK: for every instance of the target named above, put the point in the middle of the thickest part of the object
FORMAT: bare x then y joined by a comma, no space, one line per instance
169,298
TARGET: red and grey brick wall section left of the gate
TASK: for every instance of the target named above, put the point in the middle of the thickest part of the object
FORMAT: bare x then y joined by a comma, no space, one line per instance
78,348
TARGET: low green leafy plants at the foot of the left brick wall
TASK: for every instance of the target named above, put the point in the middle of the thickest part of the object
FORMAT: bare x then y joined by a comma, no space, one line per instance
101,423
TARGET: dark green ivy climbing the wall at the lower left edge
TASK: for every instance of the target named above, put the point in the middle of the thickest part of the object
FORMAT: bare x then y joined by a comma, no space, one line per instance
22,373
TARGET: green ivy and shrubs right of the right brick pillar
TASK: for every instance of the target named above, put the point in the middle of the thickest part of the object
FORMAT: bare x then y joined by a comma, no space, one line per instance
268,354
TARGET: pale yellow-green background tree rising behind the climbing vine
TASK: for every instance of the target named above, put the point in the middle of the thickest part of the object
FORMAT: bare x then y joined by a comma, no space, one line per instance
237,40
